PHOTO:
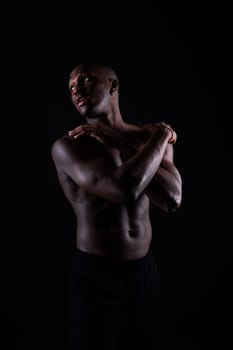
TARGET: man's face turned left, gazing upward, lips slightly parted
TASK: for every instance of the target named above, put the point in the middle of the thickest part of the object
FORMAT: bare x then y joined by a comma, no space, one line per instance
89,89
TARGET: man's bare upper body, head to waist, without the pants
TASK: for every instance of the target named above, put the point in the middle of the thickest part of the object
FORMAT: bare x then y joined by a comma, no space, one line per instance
110,170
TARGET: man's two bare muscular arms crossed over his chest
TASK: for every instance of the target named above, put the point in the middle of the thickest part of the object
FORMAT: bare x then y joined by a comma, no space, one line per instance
150,170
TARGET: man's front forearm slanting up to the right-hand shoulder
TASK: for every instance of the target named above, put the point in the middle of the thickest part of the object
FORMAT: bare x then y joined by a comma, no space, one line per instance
138,171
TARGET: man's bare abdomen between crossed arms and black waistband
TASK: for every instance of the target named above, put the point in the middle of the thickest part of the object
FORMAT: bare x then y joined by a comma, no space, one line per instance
107,229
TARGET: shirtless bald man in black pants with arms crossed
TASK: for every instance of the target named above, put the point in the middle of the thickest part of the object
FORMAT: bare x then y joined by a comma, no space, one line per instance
110,172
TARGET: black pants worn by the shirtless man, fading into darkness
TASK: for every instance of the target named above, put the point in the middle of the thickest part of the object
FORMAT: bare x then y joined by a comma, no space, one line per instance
113,305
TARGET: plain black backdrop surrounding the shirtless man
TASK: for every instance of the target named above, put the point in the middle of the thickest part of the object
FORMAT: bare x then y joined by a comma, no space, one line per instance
171,67
